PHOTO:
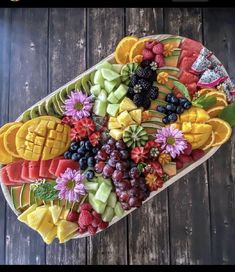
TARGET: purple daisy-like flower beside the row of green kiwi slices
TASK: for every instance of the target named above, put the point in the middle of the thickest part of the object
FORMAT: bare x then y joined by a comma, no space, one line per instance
78,105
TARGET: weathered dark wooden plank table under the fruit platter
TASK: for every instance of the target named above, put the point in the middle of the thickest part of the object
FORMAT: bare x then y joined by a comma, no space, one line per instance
192,222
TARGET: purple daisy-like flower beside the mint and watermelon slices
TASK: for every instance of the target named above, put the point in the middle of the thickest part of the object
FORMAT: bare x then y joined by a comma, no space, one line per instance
70,185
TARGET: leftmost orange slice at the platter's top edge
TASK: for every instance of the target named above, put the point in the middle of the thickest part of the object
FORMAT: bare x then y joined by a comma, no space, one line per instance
123,49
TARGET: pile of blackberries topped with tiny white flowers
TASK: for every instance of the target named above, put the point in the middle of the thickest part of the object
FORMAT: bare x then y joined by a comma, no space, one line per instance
141,89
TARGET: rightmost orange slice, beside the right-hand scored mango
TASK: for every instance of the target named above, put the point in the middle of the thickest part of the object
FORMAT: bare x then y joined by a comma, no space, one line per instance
221,129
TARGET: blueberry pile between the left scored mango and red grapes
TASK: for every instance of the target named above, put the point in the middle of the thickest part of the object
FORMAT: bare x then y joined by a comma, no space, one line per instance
83,152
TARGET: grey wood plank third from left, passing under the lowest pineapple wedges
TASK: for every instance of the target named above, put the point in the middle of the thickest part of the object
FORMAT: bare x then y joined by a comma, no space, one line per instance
67,49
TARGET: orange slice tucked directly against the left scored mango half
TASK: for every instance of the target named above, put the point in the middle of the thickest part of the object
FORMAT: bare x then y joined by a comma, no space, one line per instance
9,139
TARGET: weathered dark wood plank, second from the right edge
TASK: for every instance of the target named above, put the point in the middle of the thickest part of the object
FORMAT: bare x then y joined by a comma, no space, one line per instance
188,197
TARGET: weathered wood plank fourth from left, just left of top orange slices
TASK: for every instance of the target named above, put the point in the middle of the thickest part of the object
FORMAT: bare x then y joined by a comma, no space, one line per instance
105,28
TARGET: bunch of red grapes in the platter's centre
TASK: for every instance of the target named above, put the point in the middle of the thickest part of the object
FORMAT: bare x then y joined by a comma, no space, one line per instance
113,162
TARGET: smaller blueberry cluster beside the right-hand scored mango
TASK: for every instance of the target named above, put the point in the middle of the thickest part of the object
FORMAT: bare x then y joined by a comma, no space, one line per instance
173,107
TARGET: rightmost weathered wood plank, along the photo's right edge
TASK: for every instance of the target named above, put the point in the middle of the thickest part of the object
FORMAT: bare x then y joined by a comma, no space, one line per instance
219,37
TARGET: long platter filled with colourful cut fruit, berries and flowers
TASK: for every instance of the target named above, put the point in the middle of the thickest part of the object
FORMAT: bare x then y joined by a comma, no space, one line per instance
106,142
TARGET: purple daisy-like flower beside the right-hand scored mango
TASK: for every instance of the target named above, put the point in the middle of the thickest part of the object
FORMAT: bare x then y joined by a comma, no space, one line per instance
171,140
